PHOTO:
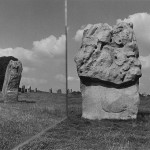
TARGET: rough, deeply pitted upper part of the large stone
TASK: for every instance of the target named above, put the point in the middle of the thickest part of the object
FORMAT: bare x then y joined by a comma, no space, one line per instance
109,53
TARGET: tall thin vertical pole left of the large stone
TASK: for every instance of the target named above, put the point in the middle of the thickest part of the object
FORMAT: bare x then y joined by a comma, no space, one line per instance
66,33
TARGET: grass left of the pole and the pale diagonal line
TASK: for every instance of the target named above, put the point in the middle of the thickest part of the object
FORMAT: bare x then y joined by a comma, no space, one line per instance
33,113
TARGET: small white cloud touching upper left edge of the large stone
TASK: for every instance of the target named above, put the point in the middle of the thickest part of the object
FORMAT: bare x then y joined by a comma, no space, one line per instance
79,34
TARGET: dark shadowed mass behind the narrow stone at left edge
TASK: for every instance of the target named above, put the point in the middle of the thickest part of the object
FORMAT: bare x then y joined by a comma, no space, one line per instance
4,61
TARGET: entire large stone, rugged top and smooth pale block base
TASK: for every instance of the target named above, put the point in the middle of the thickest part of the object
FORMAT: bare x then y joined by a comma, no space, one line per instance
109,71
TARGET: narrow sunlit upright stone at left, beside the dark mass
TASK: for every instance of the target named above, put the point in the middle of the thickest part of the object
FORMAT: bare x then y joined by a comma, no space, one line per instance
12,81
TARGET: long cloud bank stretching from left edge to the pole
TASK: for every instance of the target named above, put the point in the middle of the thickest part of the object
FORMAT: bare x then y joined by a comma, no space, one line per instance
49,47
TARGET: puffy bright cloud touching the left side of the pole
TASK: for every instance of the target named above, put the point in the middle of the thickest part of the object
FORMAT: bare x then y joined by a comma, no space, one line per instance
51,46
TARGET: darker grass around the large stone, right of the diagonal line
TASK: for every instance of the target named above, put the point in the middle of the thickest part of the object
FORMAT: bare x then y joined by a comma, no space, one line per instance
76,133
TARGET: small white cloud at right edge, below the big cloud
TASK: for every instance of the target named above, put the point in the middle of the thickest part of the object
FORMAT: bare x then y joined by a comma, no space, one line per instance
145,61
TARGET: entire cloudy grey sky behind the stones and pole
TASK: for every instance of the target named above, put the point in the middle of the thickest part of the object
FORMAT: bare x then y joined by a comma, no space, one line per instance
33,31
